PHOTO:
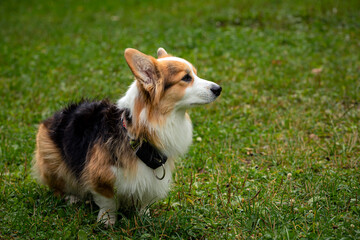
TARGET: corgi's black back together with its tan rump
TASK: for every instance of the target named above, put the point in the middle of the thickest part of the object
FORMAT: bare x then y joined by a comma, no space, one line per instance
66,140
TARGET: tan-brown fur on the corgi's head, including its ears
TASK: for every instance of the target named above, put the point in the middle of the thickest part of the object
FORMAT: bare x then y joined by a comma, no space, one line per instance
159,84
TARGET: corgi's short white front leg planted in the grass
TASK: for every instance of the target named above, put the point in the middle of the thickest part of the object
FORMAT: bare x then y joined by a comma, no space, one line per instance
108,208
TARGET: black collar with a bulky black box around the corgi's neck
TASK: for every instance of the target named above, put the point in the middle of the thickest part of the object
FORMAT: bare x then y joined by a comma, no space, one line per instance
144,150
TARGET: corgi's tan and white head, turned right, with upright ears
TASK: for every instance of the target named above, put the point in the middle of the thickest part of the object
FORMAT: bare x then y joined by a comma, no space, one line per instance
169,82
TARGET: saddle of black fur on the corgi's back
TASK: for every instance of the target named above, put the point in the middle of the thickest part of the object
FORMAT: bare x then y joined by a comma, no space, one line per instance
79,126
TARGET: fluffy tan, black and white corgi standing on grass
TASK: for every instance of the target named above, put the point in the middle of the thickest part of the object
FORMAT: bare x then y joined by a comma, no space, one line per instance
123,153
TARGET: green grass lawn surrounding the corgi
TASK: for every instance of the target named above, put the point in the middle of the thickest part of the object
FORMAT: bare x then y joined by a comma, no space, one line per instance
275,157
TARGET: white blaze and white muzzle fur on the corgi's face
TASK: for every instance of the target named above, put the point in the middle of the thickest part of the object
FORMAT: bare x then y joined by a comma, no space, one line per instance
197,93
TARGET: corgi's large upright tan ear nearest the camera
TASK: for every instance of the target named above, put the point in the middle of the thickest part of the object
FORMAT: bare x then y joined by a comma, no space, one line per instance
144,68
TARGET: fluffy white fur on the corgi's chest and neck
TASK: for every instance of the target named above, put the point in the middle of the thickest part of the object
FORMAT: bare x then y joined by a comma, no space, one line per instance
175,136
